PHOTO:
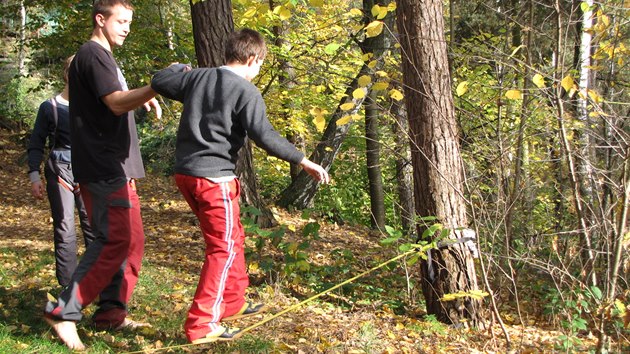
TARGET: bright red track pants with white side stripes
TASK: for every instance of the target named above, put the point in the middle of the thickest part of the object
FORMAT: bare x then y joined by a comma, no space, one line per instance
221,289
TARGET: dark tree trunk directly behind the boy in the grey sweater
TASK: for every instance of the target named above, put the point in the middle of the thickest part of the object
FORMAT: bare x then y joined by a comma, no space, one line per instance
212,22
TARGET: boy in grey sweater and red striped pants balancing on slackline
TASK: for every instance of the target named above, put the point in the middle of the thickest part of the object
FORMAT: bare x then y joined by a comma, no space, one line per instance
221,108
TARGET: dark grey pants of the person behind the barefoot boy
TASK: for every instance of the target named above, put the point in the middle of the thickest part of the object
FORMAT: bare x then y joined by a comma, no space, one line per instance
64,197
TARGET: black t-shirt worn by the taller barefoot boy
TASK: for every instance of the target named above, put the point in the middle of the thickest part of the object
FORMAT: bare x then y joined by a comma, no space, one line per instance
104,145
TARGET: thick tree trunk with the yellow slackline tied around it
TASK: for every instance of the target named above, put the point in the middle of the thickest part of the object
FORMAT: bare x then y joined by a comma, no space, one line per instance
437,164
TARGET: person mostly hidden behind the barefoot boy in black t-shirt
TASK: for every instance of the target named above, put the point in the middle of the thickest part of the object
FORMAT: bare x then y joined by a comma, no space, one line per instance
53,125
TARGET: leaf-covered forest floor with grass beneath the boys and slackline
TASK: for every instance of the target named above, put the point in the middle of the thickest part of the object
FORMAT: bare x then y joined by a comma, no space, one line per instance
366,318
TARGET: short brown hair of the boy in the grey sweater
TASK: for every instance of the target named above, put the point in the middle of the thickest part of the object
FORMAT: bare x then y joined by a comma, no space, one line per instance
244,44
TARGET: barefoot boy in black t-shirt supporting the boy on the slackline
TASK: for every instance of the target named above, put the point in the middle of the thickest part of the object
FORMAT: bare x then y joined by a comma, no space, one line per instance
106,161
